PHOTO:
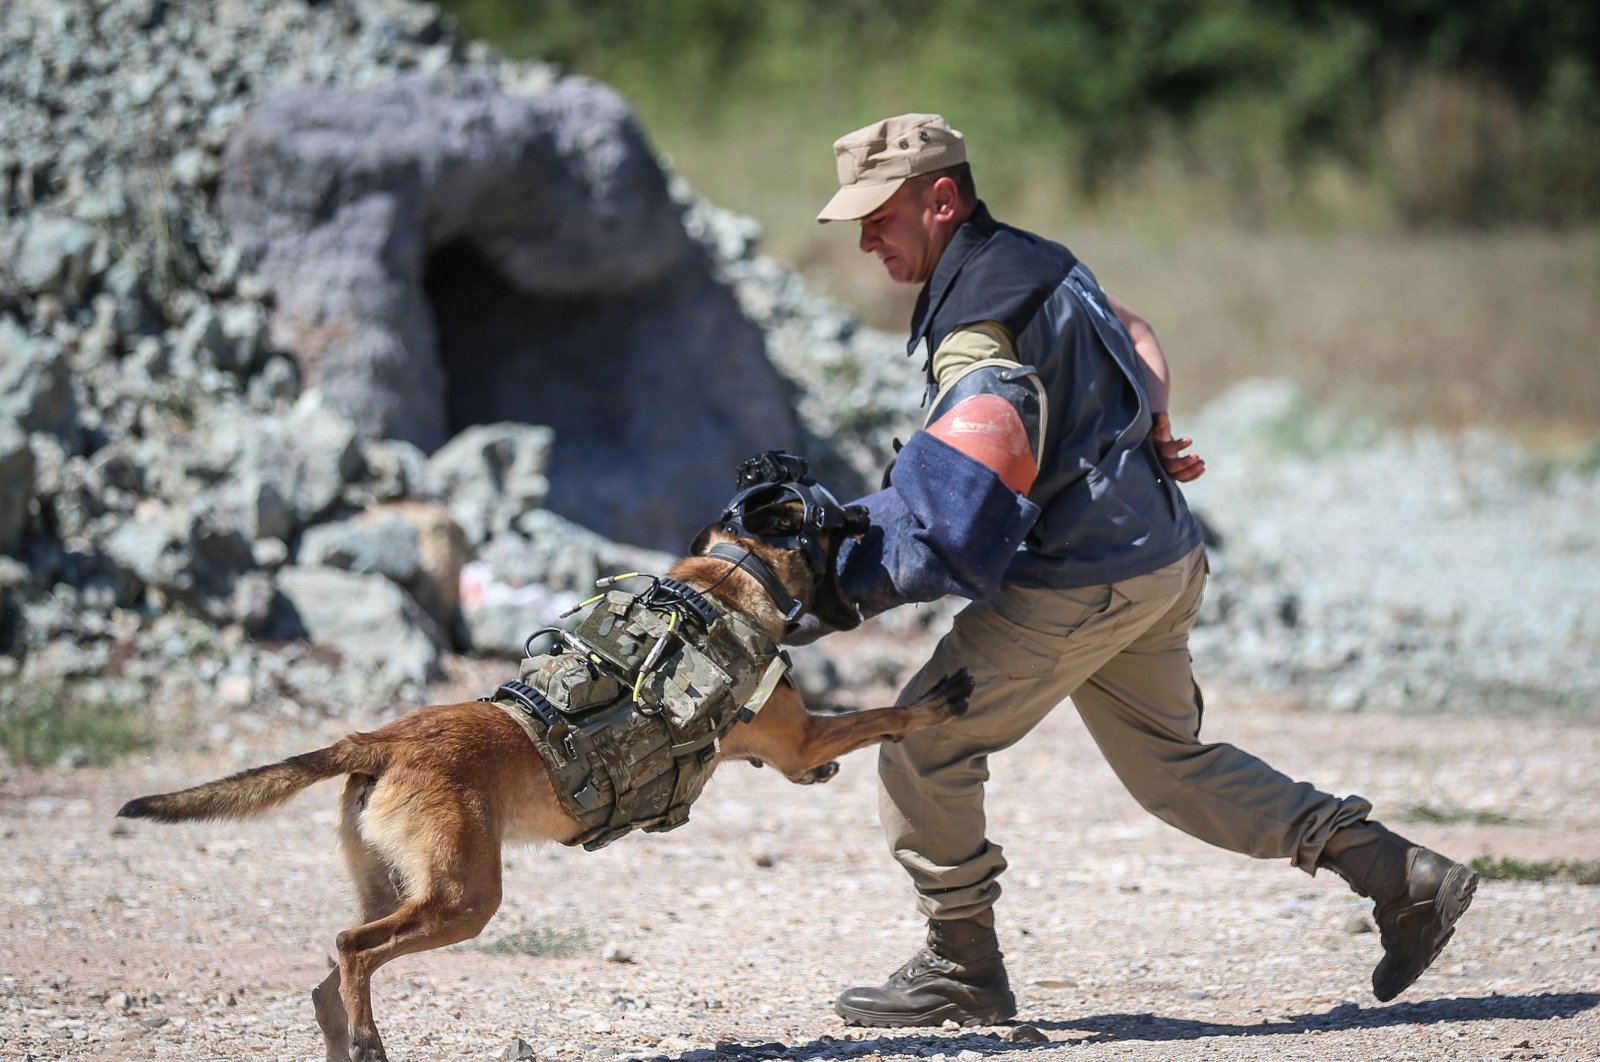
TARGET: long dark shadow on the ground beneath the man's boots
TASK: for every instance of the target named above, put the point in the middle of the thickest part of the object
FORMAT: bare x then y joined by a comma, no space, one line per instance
1154,1028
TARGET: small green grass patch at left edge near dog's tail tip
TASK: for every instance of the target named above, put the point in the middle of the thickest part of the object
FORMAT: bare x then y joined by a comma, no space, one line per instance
68,727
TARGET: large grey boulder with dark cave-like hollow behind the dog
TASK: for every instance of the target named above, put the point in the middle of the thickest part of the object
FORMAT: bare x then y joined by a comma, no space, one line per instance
447,252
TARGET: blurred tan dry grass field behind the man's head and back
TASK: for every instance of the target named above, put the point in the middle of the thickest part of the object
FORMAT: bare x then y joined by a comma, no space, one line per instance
1450,330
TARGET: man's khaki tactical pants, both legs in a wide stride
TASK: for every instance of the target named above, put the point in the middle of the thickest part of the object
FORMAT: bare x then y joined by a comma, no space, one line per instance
1121,653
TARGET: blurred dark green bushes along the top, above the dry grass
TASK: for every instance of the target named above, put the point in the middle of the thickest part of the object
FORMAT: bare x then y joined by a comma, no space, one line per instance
1444,114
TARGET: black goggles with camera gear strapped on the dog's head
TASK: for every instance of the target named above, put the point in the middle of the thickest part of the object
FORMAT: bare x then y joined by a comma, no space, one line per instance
777,479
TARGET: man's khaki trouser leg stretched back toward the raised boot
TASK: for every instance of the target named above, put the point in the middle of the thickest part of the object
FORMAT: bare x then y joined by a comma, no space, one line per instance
1143,709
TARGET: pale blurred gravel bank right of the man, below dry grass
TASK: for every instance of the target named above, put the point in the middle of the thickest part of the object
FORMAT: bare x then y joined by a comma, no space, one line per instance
1394,572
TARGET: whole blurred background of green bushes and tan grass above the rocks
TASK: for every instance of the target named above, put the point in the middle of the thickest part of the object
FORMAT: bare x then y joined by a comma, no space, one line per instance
1394,204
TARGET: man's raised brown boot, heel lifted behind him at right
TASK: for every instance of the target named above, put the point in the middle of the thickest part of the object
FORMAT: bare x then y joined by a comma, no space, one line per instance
1418,898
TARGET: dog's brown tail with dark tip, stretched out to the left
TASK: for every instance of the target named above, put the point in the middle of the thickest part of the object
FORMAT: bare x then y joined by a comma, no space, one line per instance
260,789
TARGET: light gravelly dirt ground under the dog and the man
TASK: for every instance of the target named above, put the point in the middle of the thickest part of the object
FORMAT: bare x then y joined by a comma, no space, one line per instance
730,936
